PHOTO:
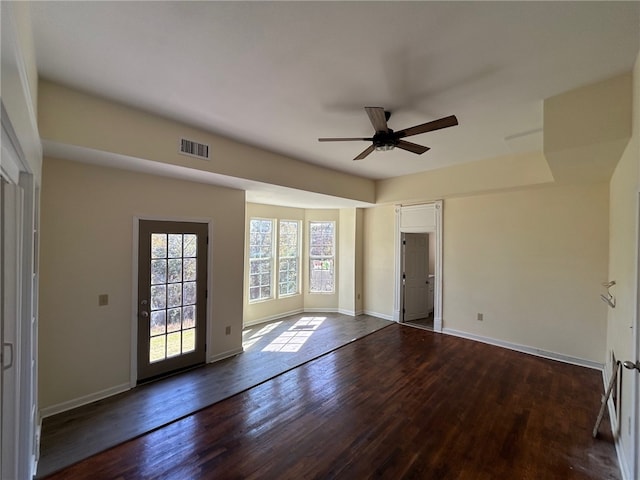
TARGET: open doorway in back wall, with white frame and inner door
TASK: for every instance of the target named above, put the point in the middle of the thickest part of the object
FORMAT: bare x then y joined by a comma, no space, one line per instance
418,272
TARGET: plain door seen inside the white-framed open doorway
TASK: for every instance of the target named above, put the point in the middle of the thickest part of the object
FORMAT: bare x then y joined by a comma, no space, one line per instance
416,276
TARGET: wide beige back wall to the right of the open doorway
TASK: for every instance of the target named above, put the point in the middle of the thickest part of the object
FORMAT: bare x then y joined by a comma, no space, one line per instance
532,262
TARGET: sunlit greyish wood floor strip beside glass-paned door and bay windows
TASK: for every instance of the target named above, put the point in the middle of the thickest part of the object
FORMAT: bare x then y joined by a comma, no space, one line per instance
270,349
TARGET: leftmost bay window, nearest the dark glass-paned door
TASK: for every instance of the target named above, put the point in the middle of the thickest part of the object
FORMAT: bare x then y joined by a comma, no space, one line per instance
260,259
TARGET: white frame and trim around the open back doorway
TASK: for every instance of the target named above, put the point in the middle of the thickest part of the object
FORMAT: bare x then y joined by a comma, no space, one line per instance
423,218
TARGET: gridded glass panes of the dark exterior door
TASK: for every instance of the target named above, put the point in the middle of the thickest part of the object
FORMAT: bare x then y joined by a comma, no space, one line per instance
173,295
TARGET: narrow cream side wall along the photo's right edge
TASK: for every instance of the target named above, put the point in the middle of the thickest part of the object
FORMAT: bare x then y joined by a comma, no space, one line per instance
623,262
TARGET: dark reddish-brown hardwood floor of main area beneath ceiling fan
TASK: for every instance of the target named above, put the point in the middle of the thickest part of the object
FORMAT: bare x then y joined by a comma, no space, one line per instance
399,403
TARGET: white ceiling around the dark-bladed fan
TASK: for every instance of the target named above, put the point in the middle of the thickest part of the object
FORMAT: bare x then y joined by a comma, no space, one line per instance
281,74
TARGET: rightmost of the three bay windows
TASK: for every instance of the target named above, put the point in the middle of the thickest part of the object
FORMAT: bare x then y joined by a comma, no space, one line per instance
321,257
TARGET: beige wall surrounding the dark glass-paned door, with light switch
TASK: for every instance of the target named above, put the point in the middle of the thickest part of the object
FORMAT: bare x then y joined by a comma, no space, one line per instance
86,250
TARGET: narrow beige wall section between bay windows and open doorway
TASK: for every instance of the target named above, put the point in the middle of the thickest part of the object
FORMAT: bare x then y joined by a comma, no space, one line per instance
379,260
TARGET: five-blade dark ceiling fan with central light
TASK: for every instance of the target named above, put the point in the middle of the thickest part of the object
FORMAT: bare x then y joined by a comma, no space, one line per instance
387,139
